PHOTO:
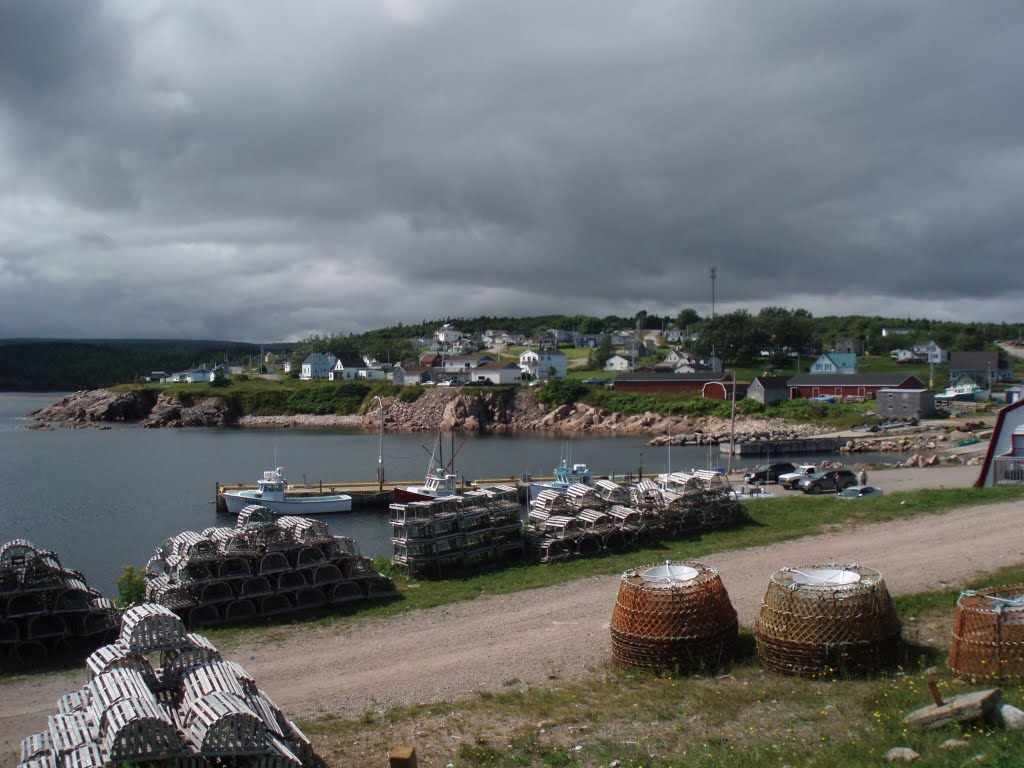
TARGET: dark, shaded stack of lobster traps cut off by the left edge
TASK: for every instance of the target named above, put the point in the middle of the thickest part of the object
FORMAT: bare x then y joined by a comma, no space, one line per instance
45,606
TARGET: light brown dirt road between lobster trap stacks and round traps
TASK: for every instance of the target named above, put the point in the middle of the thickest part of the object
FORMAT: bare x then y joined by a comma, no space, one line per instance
452,652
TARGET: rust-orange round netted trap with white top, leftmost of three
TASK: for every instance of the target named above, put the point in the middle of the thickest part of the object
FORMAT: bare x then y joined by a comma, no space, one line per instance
675,616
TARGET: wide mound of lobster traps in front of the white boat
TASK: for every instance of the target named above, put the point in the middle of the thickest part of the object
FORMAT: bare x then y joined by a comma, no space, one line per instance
264,567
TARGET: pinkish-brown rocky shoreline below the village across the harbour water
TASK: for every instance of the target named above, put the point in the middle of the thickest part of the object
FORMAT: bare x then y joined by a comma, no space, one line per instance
493,411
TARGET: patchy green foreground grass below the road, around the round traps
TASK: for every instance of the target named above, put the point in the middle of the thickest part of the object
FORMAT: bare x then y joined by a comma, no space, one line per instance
745,716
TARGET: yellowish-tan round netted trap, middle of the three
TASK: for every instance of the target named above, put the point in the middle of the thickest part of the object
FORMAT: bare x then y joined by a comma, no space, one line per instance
824,620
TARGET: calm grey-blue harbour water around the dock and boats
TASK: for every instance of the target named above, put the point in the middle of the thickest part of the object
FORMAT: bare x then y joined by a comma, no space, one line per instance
103,499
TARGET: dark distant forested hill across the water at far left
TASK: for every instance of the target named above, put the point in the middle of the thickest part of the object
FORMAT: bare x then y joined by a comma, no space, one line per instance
30,366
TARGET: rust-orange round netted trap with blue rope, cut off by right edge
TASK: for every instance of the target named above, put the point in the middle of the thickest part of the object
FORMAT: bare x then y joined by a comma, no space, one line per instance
989,635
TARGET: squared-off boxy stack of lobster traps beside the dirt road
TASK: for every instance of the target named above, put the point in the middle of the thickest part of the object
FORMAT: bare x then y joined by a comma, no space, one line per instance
440,537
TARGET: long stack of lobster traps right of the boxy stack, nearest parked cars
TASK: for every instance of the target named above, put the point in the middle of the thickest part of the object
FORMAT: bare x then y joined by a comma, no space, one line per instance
608,518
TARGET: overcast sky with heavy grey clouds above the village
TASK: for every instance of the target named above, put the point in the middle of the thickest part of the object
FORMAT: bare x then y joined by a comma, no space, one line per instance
258,170
